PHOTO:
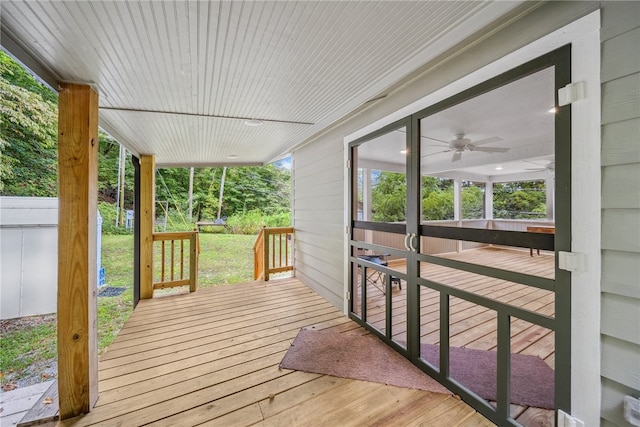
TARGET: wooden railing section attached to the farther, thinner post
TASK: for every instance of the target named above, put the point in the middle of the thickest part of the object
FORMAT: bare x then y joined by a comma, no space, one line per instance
172,271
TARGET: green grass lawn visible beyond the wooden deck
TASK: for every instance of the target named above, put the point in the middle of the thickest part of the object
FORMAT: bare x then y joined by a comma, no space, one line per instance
224,259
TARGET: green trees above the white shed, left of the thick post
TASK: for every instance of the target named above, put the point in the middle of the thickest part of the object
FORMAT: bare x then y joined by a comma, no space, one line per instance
28,143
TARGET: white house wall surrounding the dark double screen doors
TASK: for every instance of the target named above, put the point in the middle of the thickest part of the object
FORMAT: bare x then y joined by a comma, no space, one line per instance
614,359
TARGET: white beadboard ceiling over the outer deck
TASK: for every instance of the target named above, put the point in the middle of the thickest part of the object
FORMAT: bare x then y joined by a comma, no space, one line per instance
178,79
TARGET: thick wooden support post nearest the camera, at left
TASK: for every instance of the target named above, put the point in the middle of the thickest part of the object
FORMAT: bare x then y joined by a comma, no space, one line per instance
77,287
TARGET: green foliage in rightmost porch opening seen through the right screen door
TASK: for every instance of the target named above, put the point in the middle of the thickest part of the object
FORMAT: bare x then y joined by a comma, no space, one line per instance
519,200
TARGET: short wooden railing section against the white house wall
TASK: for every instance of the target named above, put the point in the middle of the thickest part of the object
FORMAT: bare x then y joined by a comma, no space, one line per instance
272,252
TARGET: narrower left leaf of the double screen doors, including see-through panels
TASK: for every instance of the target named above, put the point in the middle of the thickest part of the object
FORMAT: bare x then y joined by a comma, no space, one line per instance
378,248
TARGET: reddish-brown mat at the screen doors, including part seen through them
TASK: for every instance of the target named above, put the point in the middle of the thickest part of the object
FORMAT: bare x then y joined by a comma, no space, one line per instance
365,357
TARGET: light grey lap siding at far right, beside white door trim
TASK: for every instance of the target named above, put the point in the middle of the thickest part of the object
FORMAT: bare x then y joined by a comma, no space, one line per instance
620,301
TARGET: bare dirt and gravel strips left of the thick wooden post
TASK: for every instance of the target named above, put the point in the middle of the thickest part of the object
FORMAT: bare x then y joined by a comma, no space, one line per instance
43,370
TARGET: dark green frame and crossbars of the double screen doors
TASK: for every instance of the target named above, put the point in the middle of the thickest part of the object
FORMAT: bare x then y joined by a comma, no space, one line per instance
560,59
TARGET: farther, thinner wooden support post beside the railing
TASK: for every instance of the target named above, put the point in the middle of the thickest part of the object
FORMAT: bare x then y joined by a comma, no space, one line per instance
147,223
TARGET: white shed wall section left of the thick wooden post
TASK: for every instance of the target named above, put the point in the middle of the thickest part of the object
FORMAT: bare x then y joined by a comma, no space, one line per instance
28,256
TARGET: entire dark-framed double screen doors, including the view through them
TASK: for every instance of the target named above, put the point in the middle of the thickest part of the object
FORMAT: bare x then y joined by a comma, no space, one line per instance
458,213
